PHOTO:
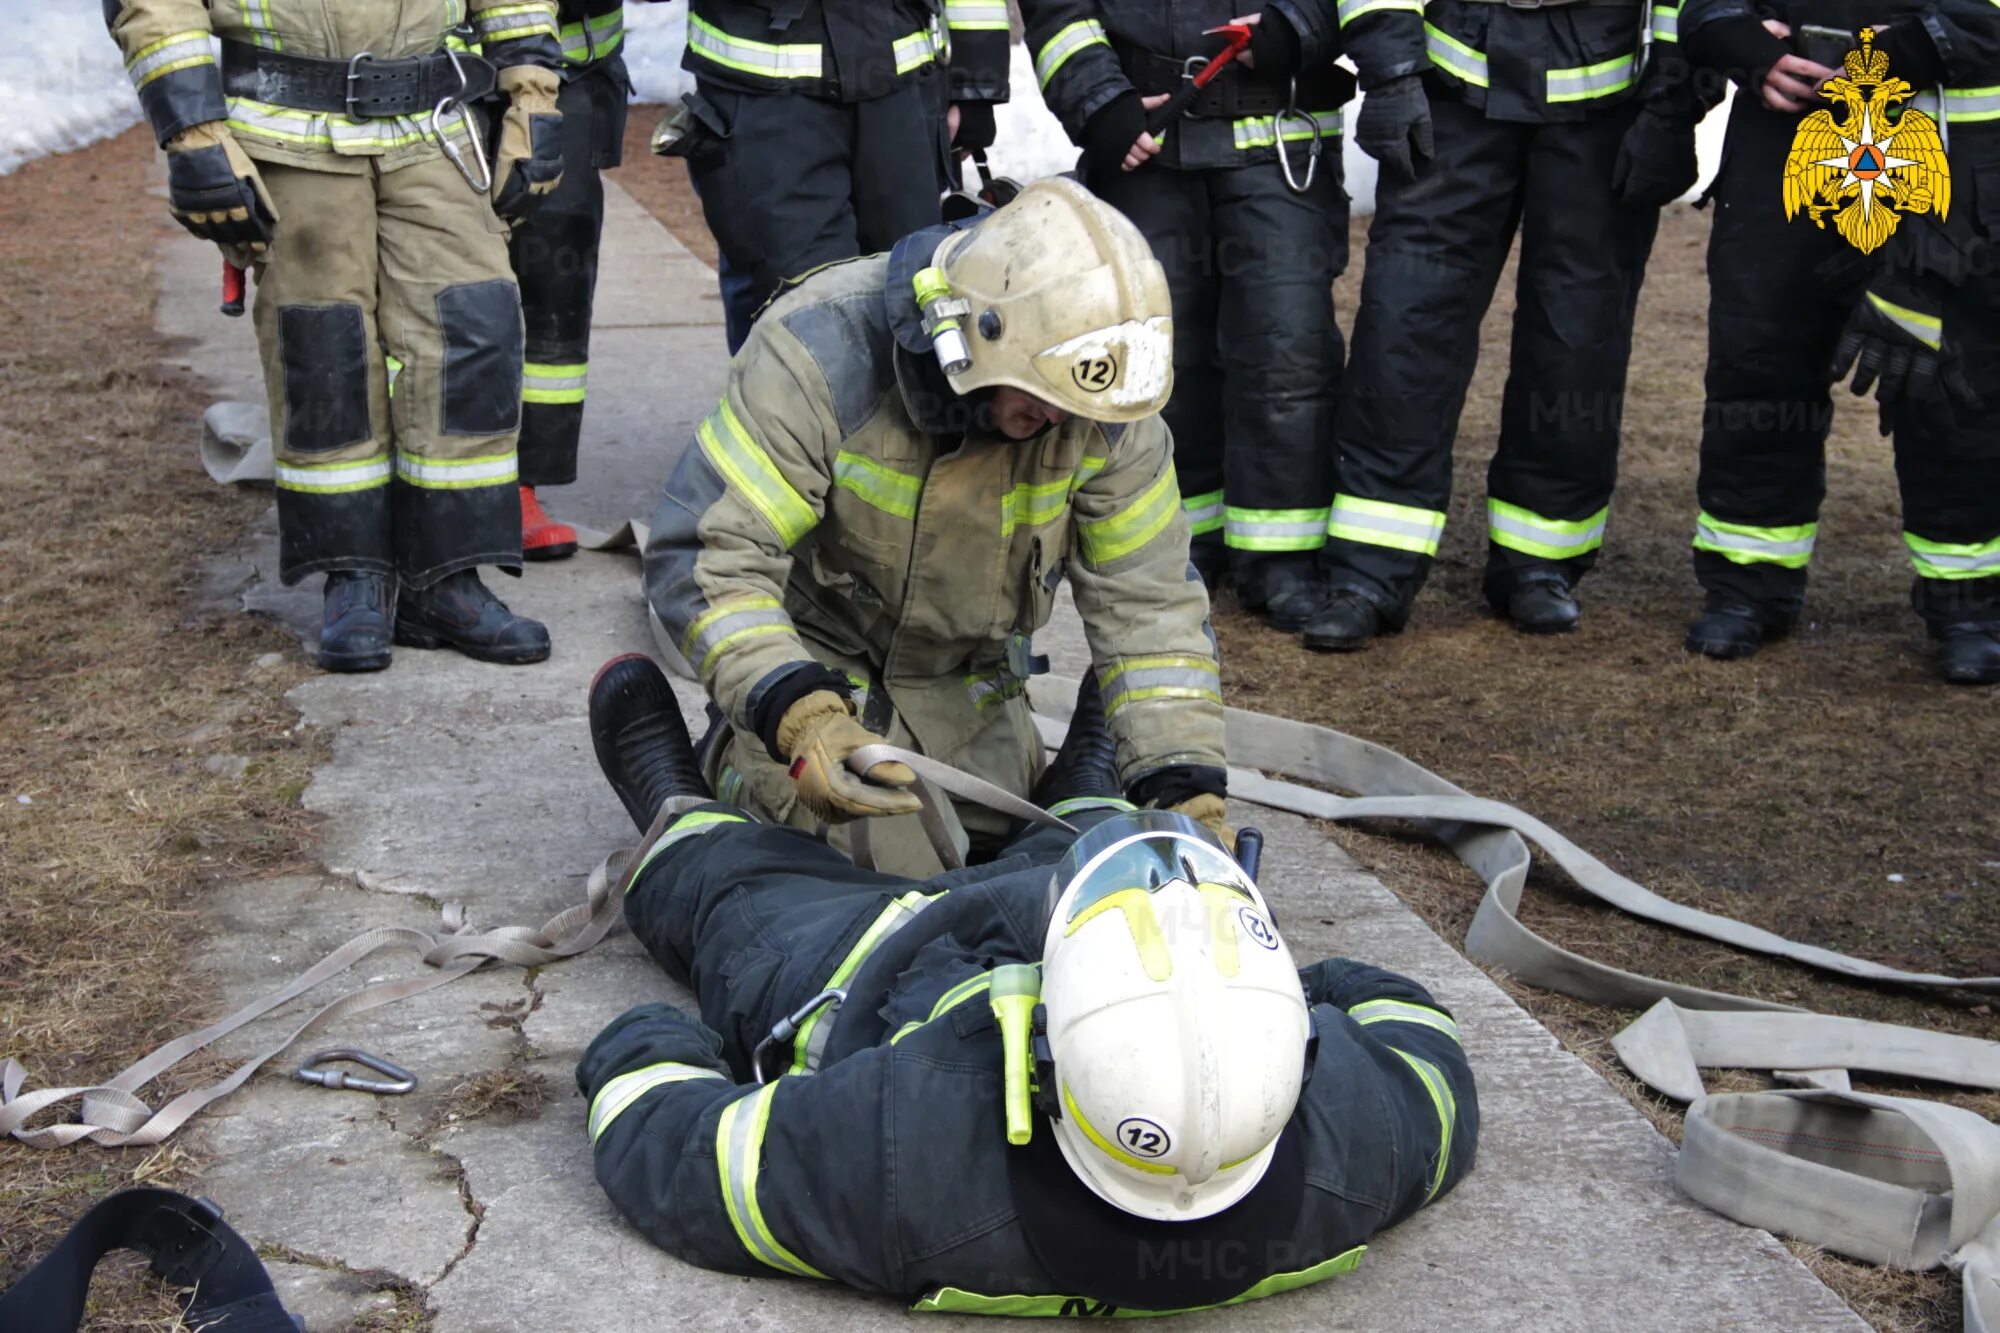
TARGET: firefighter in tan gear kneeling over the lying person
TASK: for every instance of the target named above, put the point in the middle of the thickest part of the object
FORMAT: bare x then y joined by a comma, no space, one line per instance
913,453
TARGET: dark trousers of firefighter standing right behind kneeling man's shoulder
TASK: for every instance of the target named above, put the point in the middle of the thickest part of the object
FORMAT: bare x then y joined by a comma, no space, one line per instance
807,181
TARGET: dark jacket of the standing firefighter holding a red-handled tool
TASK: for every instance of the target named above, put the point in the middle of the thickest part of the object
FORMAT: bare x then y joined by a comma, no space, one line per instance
1093,51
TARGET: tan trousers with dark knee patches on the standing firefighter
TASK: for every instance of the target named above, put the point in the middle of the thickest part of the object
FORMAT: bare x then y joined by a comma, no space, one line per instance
393,345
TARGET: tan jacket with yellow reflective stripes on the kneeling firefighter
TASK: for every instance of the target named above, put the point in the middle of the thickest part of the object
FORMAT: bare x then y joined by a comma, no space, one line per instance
843,509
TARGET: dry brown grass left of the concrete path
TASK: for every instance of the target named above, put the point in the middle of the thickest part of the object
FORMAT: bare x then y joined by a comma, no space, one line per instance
113,688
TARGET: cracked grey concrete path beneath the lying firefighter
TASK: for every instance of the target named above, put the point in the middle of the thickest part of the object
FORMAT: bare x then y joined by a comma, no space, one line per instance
455,782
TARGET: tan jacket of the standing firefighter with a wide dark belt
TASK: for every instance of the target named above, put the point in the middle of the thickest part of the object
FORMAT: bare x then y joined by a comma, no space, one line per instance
173,65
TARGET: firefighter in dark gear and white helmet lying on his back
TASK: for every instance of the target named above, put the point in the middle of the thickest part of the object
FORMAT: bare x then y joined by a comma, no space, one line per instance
1083,1080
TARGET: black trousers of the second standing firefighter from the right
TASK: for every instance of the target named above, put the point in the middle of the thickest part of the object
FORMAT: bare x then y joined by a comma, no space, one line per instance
1435,255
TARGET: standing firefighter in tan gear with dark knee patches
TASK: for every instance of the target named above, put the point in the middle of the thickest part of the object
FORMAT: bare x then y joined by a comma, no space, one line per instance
339,157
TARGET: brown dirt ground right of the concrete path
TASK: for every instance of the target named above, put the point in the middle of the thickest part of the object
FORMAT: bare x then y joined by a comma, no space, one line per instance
1829,790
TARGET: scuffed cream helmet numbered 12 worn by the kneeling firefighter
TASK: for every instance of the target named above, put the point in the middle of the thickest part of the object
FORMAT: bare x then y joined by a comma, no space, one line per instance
1065,301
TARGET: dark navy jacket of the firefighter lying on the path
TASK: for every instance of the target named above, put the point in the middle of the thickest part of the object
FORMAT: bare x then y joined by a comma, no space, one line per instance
889,1168
